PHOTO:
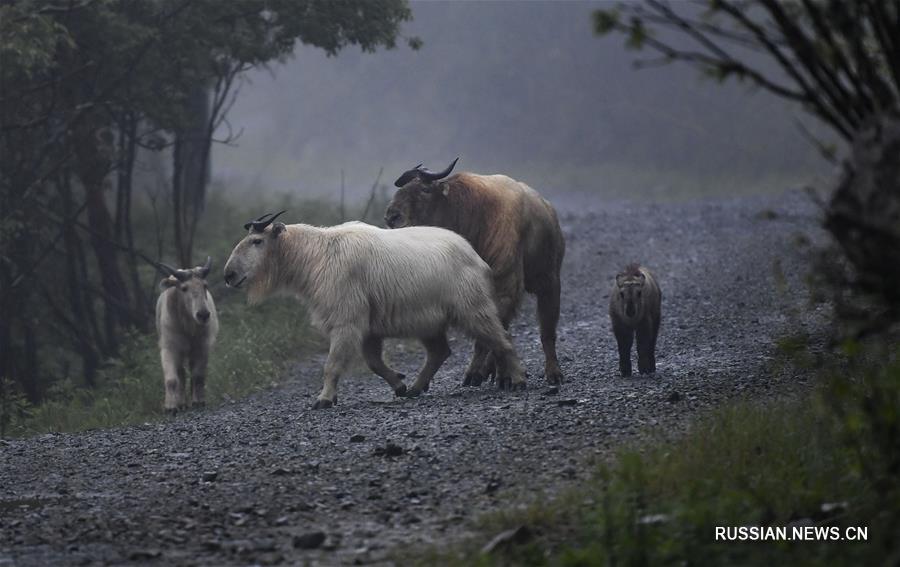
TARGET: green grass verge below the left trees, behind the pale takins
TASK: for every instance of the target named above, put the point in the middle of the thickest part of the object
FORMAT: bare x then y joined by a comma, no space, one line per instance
255,347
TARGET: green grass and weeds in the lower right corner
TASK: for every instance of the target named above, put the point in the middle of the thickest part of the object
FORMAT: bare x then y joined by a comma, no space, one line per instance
781,463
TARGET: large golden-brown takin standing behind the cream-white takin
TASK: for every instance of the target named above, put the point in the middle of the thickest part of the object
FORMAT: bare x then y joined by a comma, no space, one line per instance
511,227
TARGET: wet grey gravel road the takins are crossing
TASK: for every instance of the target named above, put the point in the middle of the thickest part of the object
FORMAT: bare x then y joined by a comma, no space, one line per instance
268,481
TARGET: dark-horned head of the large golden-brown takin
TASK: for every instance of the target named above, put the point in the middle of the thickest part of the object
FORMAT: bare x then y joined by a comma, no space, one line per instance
417,198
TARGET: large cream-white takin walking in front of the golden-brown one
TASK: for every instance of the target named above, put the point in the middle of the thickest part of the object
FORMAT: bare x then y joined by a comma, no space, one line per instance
363,284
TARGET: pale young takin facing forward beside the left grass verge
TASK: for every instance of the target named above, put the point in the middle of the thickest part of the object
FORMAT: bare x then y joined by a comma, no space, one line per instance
187,324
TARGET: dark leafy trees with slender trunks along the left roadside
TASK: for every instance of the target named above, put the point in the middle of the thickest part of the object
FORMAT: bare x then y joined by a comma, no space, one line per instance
87,85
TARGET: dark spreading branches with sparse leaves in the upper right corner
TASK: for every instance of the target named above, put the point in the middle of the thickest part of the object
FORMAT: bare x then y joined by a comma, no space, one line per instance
840,59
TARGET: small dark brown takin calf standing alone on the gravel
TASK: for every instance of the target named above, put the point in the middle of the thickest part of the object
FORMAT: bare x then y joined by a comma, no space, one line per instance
634,309
